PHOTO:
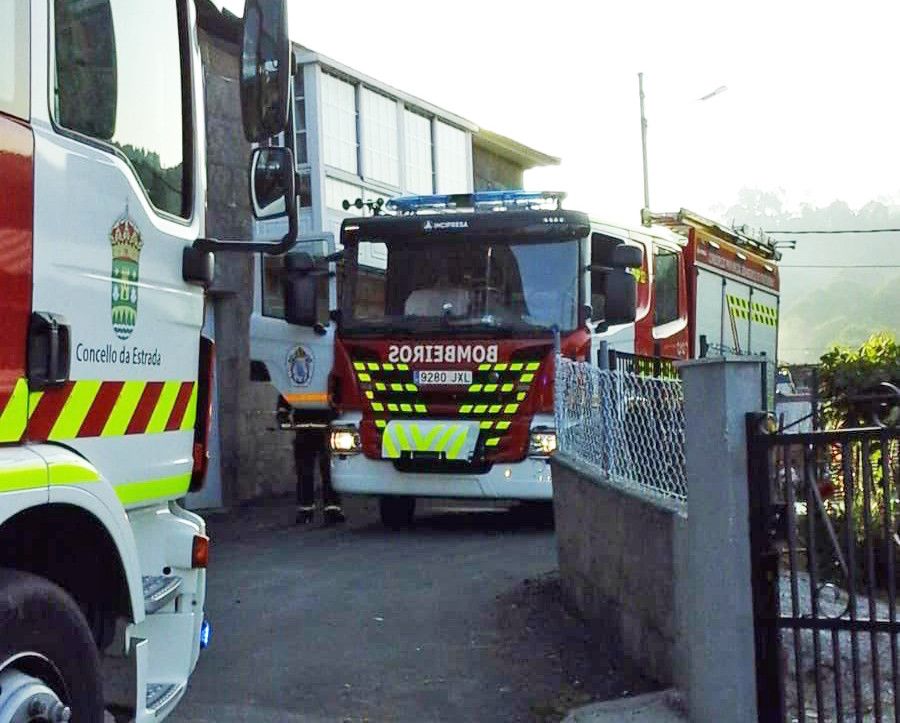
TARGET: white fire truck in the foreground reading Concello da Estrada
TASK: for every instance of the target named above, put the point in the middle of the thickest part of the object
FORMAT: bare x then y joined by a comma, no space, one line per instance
104,379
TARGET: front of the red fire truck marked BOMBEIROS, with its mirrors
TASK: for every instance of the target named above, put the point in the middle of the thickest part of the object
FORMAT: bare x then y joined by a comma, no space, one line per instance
450,313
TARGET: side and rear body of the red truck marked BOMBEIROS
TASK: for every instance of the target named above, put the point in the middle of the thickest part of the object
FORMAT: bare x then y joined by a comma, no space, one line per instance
704,289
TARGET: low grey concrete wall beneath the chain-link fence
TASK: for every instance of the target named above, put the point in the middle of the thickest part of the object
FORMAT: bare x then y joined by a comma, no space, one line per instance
618,559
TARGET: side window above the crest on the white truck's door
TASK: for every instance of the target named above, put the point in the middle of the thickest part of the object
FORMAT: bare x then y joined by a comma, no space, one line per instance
121,83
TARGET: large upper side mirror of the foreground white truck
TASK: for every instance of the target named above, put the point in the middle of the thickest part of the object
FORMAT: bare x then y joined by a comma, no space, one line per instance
265,69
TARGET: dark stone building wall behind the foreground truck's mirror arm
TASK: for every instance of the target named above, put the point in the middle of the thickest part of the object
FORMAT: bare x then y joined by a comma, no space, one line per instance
255,459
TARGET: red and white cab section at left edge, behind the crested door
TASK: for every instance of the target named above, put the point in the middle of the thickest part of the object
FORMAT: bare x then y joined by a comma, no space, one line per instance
17,191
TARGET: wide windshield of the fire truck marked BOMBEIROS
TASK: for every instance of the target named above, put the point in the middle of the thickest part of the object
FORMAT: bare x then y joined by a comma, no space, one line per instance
461,288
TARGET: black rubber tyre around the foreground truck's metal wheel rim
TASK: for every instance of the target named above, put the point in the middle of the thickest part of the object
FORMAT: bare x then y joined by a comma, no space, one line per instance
38,617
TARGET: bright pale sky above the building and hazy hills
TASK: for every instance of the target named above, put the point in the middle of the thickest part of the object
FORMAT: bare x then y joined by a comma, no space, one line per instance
812,106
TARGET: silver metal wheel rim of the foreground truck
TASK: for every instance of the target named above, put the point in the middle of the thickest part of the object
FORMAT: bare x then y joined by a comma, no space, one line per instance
26,695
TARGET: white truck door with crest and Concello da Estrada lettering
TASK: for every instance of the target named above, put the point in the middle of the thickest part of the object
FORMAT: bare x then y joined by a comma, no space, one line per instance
119,185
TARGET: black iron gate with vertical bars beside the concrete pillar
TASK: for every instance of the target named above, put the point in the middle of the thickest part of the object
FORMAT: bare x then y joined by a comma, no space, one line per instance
824,547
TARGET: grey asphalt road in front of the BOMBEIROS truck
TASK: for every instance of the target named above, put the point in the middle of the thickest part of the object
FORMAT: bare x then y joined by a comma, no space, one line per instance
453,620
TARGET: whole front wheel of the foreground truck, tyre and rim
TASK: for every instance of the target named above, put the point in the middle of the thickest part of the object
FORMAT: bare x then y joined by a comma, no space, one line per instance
49,665
